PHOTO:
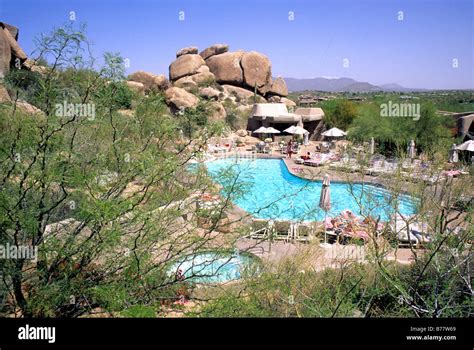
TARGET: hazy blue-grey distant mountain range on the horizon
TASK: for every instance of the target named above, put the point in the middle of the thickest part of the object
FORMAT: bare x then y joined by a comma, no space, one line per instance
341,85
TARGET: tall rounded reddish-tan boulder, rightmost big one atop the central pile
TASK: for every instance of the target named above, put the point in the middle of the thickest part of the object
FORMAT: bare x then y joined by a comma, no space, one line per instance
257,71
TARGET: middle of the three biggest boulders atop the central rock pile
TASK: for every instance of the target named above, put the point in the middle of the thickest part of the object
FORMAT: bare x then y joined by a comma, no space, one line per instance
226,67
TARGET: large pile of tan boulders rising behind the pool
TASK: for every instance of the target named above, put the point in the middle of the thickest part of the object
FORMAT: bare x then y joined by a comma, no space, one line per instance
226,78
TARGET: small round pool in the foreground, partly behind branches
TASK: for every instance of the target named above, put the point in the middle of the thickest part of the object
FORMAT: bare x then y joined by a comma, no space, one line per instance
214,267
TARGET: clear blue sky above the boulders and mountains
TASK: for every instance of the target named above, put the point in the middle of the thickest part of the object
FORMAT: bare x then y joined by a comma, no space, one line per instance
415,52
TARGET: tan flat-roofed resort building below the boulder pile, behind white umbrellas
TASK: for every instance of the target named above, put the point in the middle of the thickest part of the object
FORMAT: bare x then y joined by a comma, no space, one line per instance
276,115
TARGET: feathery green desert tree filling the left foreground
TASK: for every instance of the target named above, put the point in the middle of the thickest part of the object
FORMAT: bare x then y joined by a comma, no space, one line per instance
95,194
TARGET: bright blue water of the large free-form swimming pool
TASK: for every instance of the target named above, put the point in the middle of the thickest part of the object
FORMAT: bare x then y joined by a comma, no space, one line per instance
269,191
